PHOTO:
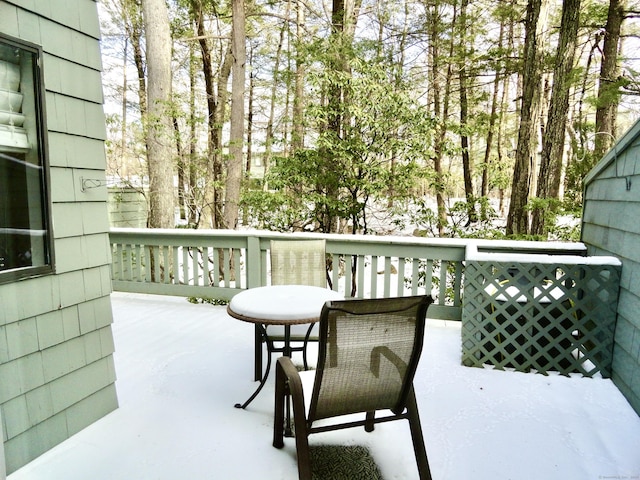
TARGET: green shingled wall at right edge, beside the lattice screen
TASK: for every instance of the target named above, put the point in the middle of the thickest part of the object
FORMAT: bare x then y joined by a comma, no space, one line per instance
611,226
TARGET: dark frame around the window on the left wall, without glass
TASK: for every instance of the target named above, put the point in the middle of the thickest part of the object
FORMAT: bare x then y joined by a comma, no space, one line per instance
48,268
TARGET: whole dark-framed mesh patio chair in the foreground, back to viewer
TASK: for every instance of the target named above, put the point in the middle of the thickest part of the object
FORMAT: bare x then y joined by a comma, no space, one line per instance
368,355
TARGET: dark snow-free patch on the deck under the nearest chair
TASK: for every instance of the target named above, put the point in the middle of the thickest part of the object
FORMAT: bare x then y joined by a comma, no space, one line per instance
337,462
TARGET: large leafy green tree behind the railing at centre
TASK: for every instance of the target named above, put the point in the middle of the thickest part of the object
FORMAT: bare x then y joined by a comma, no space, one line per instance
372,144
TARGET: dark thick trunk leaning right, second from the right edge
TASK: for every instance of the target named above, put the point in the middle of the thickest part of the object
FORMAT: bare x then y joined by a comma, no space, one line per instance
554,133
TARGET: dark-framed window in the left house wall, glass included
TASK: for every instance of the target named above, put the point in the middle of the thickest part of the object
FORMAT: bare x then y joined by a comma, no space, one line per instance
25,237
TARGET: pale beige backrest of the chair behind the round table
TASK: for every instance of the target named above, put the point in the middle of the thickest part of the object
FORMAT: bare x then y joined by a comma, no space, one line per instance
298,262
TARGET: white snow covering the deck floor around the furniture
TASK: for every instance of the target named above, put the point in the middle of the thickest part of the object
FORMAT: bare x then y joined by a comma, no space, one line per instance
181,368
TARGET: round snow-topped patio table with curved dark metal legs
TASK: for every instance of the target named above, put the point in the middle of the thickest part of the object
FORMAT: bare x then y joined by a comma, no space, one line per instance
283,305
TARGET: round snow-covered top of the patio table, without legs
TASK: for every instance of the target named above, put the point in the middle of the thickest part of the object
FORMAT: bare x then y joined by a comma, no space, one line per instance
281,304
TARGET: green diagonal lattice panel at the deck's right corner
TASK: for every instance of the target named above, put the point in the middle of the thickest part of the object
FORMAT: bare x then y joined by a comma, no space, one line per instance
540,317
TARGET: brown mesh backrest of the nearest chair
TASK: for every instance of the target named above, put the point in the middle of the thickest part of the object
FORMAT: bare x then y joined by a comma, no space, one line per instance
368,355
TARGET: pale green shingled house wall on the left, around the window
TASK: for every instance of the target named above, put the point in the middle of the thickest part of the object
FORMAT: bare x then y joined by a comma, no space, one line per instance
56,364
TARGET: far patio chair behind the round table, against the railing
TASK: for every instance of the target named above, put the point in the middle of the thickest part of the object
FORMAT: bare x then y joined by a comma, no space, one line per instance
294,262
